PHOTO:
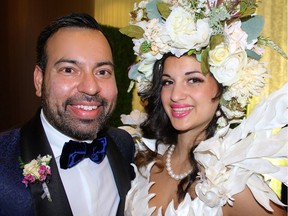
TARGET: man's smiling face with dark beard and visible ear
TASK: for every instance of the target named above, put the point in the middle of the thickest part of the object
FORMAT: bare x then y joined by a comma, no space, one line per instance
78,89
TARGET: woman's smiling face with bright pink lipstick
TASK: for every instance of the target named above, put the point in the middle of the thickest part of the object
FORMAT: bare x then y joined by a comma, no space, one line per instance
187,94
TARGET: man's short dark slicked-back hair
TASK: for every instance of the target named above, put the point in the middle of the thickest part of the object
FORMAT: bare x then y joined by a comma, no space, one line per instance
80,20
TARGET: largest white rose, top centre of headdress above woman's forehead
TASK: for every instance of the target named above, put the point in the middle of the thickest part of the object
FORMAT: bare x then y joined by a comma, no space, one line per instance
185,33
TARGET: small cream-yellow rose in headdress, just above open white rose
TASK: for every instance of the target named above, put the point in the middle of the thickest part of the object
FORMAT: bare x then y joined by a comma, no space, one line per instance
218,54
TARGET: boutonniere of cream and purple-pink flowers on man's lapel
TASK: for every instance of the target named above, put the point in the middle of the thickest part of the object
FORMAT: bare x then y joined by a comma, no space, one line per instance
37,171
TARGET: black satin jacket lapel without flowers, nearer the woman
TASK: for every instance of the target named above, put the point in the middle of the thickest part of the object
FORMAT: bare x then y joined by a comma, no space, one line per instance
121,175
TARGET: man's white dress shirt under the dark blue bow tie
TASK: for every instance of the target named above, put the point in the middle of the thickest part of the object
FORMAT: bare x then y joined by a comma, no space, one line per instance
90,187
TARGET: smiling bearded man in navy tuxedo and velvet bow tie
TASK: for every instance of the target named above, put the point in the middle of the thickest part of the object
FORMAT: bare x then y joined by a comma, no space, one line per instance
74,76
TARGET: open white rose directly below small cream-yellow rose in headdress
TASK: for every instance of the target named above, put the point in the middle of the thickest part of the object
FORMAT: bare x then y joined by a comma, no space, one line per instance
227,72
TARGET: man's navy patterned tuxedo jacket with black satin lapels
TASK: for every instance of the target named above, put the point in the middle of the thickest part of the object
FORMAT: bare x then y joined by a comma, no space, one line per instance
30,141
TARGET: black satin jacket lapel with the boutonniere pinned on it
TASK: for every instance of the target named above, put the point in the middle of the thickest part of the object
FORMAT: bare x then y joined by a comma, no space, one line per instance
33,142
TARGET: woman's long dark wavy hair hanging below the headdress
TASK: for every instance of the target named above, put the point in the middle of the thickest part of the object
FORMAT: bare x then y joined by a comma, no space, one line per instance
158,126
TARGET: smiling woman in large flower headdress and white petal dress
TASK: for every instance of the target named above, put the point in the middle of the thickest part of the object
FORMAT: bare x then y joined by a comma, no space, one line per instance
189,162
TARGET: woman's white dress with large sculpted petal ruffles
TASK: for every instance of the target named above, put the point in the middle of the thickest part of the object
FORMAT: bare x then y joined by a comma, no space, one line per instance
233,159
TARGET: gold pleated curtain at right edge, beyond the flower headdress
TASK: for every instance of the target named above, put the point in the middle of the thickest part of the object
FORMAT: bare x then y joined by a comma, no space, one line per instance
276,25
